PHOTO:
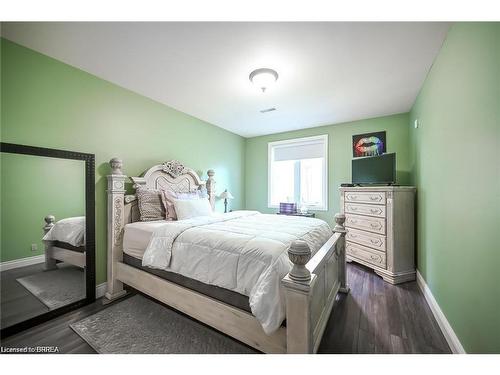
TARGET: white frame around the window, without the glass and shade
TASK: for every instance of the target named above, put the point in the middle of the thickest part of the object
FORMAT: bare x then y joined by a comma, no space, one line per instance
271,145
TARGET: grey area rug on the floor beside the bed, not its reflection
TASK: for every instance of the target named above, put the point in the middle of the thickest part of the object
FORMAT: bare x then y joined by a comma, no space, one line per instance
141,326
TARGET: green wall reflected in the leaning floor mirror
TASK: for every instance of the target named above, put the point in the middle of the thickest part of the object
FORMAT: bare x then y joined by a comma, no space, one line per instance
33,187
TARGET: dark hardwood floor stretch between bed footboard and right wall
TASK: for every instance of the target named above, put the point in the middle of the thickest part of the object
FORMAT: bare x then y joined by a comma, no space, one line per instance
377,317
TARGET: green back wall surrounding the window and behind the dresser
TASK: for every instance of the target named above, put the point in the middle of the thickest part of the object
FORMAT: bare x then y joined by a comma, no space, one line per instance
339,157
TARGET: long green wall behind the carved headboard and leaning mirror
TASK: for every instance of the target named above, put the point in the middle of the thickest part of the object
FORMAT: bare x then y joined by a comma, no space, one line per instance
50,104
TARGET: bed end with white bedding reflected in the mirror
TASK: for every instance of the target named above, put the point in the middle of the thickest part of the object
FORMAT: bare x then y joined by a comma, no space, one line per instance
64,241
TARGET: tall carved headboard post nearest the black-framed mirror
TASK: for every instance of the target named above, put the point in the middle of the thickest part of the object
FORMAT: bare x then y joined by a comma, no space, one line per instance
116,202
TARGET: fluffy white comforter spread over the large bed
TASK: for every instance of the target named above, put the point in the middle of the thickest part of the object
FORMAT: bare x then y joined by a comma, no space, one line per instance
244,251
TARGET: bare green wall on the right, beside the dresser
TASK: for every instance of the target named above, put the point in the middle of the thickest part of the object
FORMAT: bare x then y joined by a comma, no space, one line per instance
456,167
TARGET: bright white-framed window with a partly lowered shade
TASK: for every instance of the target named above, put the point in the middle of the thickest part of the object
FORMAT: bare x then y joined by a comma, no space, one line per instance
298,172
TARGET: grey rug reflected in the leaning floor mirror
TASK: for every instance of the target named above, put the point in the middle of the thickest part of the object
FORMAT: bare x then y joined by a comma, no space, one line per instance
58,287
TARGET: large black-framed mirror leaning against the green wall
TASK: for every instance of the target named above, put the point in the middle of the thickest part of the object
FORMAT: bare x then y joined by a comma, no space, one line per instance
47,230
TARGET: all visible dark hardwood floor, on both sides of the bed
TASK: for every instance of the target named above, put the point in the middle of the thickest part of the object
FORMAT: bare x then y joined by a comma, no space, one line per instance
375,317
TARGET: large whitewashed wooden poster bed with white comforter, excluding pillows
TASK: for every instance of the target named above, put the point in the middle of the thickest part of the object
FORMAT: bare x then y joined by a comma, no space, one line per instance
269,281
